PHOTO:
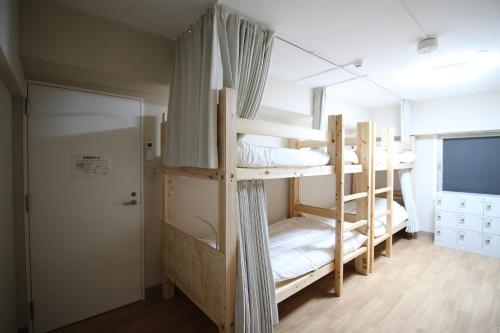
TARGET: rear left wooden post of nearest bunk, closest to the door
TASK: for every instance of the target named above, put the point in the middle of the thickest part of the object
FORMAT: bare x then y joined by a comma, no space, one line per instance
168,212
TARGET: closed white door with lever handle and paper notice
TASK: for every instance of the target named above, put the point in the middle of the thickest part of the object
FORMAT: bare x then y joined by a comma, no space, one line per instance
84,157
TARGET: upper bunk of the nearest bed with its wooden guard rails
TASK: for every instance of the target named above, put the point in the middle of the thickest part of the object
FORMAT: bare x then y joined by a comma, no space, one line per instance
302,142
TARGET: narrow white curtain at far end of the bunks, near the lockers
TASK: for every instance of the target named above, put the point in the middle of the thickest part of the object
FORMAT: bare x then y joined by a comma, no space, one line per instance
405,175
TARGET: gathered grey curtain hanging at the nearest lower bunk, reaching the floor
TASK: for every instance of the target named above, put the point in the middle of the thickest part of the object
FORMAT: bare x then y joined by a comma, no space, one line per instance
256,309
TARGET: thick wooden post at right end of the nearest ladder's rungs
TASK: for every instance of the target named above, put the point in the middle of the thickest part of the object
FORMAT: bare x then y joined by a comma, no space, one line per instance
364,183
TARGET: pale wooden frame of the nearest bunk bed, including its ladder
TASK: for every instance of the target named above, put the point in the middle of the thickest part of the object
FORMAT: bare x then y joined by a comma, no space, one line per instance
208,275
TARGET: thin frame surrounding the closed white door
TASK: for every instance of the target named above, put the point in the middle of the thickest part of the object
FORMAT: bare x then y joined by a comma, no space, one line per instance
26,161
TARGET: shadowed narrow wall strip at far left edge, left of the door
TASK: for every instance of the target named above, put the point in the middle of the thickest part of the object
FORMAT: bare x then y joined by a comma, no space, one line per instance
8,299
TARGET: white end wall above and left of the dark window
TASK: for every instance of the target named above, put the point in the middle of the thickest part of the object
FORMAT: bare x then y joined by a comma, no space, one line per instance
460,114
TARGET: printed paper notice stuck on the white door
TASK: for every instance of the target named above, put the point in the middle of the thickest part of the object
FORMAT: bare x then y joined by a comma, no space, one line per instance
90,165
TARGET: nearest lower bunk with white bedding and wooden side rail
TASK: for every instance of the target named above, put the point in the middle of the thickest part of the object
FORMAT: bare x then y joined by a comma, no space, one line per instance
302,251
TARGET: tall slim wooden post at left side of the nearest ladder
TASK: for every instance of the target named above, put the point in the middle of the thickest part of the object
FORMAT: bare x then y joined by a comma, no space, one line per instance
336,125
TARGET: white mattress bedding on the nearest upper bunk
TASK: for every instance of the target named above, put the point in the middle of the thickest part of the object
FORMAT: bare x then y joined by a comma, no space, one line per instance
252,156
